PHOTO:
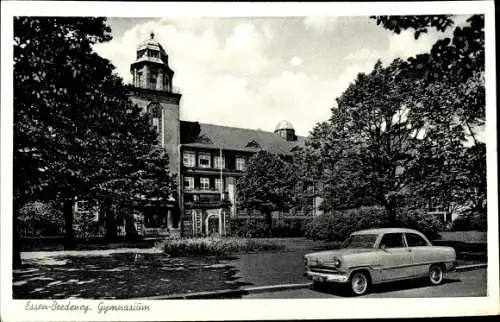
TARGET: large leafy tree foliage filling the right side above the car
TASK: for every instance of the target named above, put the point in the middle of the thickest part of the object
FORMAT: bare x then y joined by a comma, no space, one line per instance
406,133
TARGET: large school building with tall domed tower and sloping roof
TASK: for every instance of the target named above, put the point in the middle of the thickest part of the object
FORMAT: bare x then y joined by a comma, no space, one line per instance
206,159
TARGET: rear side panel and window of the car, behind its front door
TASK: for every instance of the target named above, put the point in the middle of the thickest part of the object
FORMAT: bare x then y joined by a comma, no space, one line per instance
421,253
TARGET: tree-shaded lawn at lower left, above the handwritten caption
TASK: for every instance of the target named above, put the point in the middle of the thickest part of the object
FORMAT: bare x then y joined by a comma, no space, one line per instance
118,275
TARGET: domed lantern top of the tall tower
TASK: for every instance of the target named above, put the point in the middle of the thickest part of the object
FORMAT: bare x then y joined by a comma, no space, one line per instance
150,70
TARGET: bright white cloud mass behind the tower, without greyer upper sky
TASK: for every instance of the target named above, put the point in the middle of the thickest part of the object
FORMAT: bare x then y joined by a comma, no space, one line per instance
230,77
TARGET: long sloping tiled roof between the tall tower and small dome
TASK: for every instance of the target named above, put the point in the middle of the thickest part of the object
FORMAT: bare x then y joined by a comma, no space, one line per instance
202,135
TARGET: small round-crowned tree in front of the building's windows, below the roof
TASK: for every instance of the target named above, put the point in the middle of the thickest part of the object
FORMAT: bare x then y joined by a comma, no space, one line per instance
268,185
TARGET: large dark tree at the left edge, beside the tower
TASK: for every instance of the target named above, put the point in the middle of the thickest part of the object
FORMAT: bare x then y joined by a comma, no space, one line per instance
74,128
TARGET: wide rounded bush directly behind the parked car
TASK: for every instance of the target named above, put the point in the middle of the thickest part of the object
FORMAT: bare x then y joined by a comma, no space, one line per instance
337,225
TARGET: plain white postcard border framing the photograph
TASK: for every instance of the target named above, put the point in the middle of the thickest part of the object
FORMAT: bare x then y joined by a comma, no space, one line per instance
250,309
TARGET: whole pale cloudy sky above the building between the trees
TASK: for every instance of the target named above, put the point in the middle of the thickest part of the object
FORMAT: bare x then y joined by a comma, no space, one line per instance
254,72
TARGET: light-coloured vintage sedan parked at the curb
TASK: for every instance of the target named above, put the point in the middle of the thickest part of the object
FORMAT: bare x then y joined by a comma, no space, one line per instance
380,255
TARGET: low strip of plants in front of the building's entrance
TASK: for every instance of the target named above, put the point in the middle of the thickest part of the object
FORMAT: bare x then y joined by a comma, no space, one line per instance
218,246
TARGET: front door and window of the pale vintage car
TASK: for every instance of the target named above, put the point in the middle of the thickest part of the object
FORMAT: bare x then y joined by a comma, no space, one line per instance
395,259
